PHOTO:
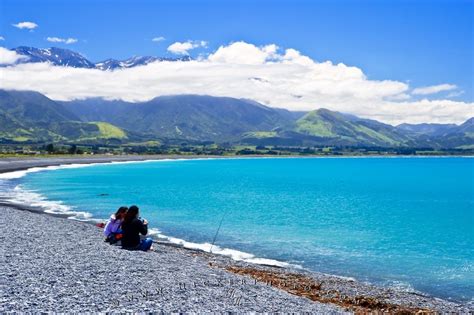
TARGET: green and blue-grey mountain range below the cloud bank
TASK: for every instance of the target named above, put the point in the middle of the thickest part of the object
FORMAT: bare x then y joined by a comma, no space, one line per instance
30,117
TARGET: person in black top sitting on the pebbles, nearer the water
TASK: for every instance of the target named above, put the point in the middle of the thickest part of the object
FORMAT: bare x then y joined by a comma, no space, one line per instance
132,227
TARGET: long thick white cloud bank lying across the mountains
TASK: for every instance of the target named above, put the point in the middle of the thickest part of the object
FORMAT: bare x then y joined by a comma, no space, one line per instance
285,79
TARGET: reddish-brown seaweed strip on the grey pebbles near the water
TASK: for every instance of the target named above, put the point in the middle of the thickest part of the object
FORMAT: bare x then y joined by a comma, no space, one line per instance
301,285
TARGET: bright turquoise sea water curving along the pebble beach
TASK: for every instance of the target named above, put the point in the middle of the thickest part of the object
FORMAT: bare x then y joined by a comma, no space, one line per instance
402,222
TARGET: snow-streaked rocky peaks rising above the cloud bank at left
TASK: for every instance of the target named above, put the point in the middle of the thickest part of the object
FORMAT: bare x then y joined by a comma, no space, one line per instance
69,58
